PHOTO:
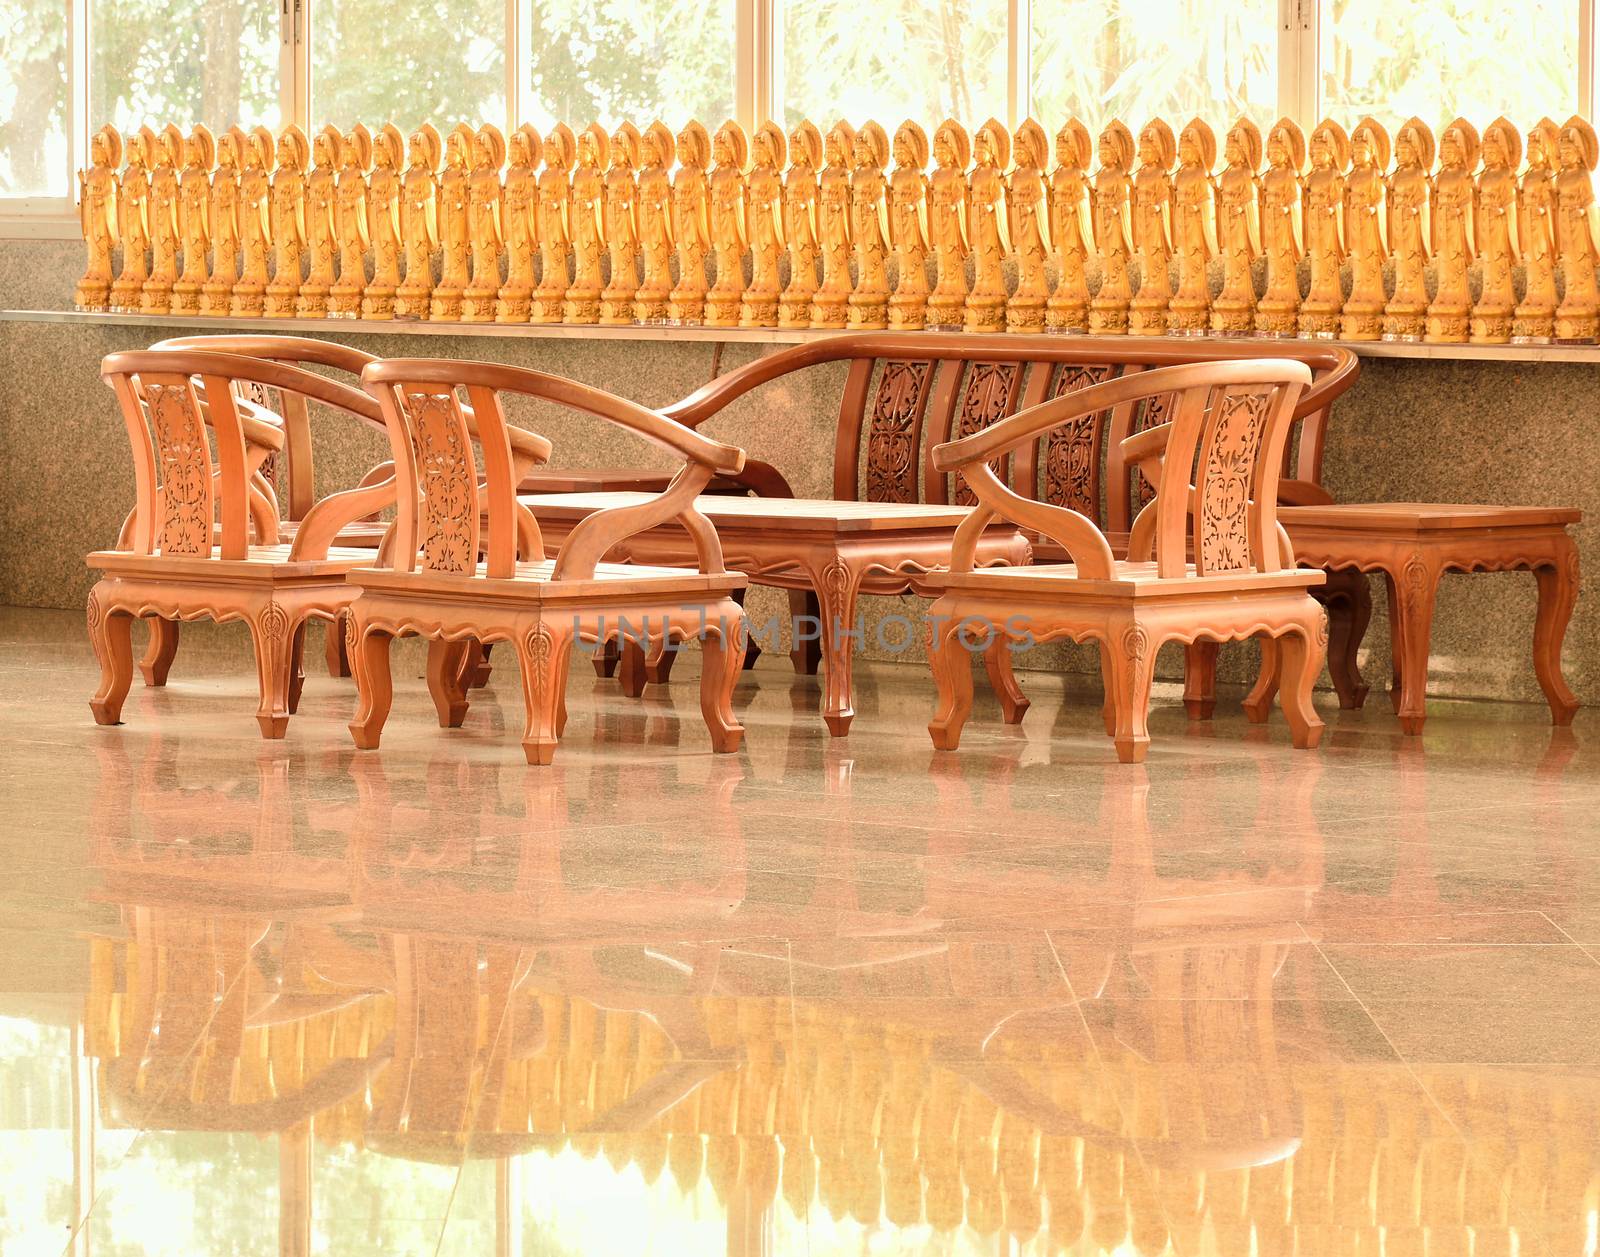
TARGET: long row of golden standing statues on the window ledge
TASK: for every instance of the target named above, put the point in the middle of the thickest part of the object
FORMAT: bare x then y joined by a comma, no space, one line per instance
804,231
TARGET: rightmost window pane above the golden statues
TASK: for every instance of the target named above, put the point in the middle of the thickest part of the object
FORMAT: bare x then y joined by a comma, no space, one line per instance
1471,58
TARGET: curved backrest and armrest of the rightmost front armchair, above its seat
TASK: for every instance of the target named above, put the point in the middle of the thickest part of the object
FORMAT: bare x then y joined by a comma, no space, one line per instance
1230,423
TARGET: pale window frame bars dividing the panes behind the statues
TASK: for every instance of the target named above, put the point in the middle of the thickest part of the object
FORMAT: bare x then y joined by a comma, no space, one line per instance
759,89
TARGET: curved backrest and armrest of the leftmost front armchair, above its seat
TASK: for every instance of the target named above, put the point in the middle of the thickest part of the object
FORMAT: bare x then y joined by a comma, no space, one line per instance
182,490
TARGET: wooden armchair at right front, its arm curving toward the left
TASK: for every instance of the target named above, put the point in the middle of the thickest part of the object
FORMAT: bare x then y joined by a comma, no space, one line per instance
1228,420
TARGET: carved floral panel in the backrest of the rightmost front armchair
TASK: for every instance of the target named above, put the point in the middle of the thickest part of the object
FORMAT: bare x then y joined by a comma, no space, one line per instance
1230,450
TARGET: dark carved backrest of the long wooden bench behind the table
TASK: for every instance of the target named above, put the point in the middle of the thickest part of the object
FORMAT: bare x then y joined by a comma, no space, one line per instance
905,394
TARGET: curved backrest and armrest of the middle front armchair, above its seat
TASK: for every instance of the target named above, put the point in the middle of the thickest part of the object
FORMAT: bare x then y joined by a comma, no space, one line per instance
444,495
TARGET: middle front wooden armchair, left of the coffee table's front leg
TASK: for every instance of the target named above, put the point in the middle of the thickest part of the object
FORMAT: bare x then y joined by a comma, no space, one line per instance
450,511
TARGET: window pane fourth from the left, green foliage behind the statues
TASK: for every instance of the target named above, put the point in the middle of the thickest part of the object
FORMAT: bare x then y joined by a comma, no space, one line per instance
630,60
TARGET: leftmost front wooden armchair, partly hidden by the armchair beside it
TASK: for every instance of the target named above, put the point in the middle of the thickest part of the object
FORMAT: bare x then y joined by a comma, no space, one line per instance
194,549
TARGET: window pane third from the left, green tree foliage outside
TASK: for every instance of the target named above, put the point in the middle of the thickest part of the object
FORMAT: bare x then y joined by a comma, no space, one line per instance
441,62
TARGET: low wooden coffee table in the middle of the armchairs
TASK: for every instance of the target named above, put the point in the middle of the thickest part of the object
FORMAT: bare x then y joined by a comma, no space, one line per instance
831,549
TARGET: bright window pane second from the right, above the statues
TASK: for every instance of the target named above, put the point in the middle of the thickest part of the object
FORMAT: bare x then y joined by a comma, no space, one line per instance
1135,60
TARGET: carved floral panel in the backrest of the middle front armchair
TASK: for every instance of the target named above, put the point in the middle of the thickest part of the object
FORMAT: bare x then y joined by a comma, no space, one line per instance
447,479
